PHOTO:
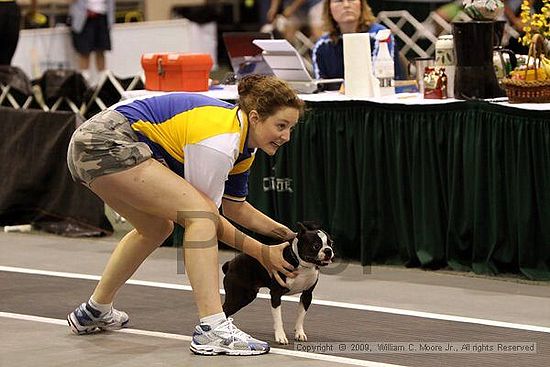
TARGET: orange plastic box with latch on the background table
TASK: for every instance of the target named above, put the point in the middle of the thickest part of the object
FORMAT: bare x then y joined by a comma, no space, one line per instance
172,72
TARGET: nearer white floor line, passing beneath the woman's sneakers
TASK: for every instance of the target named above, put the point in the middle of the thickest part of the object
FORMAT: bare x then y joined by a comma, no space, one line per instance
157,334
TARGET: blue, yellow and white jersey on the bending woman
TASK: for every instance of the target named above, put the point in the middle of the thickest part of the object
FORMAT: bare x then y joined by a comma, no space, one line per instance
200,138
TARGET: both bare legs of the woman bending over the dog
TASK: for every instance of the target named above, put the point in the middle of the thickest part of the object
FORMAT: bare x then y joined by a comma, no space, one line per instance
150,196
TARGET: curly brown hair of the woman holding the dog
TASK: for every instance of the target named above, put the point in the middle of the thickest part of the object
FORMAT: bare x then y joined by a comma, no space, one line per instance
267,95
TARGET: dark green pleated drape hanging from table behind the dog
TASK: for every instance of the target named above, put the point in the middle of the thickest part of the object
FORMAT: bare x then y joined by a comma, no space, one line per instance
461,184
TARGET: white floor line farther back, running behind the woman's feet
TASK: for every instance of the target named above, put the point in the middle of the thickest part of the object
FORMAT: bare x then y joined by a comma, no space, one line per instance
354,306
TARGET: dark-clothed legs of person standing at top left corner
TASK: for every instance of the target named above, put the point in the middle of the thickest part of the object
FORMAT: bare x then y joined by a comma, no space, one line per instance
10,19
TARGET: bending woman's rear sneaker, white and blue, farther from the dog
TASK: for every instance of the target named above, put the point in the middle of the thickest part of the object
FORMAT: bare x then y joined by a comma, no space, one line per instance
86,319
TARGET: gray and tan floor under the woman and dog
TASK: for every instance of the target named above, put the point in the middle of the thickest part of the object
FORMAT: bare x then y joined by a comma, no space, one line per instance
46,342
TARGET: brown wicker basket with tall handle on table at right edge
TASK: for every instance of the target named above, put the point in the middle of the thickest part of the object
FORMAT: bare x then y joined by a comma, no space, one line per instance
535,91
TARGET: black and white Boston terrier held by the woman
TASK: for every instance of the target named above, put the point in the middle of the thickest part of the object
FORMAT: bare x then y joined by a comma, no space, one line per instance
244,276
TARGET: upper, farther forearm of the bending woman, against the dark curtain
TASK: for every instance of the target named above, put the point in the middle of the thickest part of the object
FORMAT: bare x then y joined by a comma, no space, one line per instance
251,218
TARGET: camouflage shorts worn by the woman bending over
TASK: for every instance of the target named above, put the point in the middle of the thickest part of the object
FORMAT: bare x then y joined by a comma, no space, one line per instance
104,144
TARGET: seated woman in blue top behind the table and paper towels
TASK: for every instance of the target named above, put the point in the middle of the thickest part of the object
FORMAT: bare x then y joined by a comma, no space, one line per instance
345,16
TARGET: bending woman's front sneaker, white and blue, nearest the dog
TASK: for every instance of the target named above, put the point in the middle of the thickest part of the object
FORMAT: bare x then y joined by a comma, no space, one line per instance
225,338
